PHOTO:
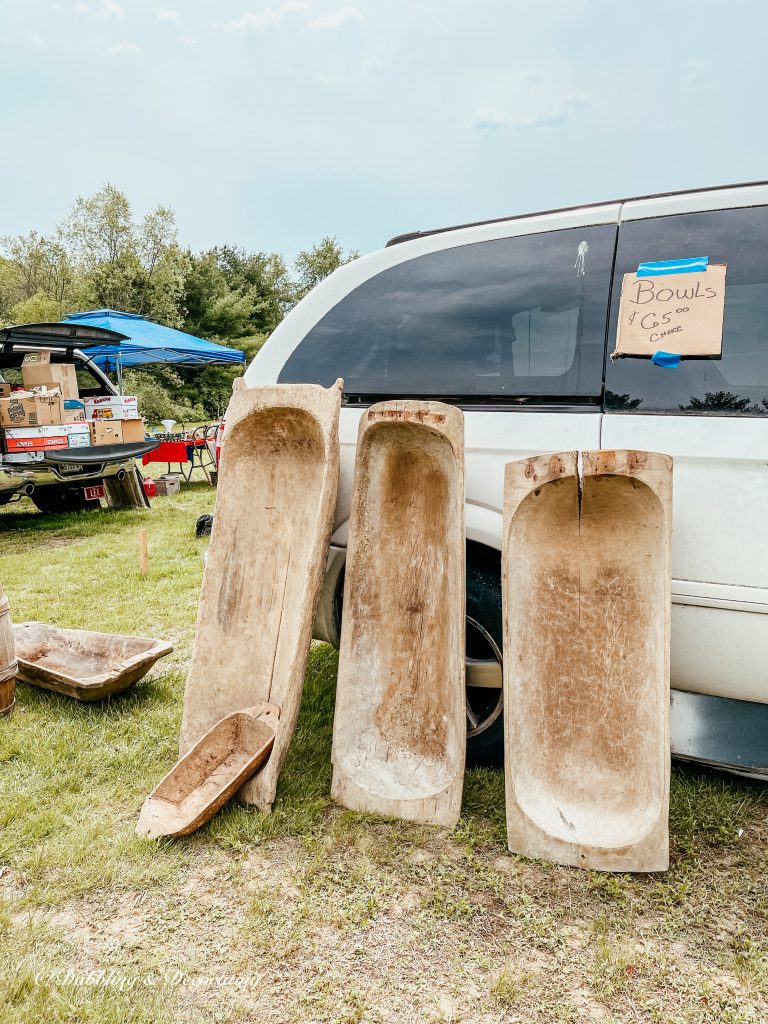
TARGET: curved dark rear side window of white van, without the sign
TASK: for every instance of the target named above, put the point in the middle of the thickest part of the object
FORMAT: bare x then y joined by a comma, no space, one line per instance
510,318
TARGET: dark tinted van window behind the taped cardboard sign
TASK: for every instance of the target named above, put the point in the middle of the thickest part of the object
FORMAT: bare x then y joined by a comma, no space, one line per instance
736,383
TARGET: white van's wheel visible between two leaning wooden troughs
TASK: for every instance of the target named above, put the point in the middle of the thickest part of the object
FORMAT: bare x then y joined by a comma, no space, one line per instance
484,642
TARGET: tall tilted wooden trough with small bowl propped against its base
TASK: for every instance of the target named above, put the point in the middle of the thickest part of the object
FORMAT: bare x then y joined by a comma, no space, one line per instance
267,564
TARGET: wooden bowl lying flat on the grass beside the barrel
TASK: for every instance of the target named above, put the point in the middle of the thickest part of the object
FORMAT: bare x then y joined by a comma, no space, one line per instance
82,664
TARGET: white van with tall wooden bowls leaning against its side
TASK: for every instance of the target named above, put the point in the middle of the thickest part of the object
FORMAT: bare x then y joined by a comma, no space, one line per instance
514,321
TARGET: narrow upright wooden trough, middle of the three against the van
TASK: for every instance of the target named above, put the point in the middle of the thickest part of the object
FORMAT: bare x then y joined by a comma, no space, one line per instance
400,730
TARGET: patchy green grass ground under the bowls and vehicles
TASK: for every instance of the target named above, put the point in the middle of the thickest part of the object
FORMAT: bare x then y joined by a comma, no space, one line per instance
317,914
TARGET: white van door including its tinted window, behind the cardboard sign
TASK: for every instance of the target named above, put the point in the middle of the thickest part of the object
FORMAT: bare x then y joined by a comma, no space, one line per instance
711,415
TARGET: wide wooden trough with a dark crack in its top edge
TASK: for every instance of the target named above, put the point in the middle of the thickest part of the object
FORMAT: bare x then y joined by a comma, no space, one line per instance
586,658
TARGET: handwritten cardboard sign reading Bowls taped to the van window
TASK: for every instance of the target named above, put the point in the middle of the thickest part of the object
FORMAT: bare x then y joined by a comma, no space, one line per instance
672,313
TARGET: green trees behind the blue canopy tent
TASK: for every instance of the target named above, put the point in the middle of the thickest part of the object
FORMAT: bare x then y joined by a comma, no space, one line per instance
101,258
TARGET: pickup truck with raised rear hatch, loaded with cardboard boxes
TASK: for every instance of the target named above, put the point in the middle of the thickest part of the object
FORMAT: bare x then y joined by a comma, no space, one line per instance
65,481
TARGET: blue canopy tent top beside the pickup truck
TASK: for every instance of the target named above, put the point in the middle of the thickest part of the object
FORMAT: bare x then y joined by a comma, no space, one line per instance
149,343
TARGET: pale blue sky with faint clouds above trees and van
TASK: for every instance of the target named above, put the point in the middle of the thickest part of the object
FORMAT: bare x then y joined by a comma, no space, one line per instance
271,126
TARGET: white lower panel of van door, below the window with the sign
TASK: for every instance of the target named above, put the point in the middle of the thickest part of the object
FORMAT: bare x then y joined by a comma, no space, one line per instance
719,563
